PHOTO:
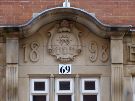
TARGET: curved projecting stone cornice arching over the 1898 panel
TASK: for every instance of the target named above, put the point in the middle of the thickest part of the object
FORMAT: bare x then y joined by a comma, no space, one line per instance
73,14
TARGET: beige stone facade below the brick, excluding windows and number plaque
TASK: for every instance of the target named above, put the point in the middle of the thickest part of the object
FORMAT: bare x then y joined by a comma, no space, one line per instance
67,36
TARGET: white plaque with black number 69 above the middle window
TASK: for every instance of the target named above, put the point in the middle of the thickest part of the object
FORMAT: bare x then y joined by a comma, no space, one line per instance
64,68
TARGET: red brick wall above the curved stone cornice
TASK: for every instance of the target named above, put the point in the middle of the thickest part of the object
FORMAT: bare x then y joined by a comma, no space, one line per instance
113,12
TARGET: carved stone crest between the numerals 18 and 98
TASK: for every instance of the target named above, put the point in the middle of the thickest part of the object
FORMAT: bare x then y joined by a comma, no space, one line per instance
64,42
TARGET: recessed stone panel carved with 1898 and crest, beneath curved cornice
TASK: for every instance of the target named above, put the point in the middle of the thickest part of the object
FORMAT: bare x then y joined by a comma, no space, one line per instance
64,41
